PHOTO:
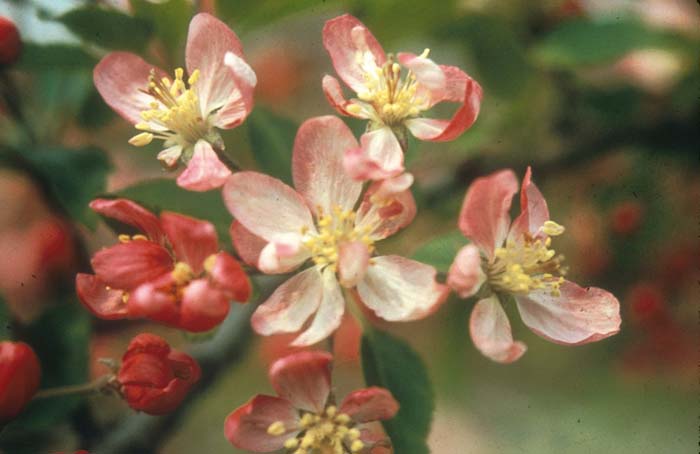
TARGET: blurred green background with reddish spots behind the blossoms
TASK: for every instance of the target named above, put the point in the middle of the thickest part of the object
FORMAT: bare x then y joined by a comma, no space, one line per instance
600,97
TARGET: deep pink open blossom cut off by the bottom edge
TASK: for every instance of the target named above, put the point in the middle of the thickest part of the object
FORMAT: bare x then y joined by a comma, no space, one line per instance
304,419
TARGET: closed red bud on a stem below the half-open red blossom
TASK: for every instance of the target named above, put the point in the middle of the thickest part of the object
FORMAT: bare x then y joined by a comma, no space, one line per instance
154,378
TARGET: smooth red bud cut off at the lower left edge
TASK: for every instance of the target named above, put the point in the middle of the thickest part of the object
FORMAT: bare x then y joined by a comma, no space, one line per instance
19,378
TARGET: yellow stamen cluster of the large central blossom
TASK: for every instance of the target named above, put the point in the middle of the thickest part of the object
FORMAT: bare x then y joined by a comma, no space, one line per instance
334,229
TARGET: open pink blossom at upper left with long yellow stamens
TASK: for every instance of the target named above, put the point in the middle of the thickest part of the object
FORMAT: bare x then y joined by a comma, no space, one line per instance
184,112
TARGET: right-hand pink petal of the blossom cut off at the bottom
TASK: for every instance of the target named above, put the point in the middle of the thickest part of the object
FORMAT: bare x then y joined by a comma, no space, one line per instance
370,404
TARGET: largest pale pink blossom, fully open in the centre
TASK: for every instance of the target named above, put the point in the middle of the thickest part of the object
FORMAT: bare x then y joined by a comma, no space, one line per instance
278,229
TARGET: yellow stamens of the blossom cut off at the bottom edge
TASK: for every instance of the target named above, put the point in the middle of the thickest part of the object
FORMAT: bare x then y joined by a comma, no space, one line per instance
328,433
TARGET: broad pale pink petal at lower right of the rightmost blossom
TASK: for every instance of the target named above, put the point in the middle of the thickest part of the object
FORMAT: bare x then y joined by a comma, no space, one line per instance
579,316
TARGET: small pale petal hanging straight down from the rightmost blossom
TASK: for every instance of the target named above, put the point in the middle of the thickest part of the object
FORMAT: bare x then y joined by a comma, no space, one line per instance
490,331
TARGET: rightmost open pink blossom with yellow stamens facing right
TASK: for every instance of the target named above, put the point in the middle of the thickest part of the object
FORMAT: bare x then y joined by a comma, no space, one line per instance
516,259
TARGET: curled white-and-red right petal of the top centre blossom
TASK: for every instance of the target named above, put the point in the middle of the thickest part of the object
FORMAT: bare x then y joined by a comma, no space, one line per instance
463,119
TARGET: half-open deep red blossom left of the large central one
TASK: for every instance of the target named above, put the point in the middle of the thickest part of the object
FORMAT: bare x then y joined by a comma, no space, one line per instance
172,272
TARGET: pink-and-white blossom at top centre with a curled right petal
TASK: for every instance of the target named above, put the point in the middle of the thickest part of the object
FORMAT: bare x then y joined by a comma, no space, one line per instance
393,92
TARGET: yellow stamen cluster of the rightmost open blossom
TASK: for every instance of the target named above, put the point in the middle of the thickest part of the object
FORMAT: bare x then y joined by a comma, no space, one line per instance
523,266
